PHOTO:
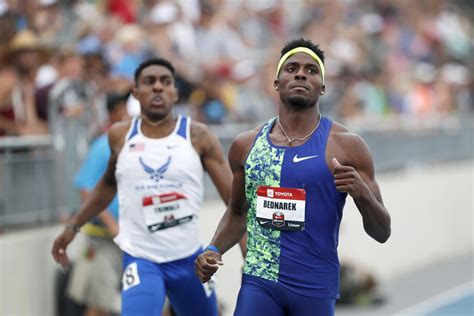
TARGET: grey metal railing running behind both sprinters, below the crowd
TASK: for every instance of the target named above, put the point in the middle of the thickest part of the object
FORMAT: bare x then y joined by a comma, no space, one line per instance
36,171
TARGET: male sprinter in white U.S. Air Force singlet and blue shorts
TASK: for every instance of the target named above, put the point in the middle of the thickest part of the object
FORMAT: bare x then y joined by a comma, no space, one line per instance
156,168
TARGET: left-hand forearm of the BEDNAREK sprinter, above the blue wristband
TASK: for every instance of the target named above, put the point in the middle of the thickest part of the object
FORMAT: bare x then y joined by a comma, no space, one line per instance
230,230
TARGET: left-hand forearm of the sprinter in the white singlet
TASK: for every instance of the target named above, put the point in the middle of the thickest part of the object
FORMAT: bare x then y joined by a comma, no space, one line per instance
97,201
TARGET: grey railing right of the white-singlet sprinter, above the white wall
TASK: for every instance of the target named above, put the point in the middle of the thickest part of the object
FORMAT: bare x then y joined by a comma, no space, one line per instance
395,143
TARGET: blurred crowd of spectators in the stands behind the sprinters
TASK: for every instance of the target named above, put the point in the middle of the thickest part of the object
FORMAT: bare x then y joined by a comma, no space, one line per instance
61,59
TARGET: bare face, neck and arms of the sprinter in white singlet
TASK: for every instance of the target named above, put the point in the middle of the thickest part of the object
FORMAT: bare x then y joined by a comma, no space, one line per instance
156,81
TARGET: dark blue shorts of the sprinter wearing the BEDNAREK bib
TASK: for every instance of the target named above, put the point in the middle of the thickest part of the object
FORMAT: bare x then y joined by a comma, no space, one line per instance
258,296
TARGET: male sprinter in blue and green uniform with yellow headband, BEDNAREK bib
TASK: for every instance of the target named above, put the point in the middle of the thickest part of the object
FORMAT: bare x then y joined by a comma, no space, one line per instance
291,179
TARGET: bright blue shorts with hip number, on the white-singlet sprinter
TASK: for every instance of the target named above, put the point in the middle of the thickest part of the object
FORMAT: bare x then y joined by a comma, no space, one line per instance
145,285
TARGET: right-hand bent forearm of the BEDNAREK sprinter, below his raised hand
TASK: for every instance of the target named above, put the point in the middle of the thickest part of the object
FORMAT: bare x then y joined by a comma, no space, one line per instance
375,217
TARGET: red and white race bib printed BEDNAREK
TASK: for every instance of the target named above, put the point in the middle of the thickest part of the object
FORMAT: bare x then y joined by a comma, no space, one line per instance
281,208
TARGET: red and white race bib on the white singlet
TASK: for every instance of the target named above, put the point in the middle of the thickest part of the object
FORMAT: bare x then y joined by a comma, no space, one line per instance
166,210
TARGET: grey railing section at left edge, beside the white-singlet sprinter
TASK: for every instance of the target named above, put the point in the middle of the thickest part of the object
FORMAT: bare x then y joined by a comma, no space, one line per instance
27,184
